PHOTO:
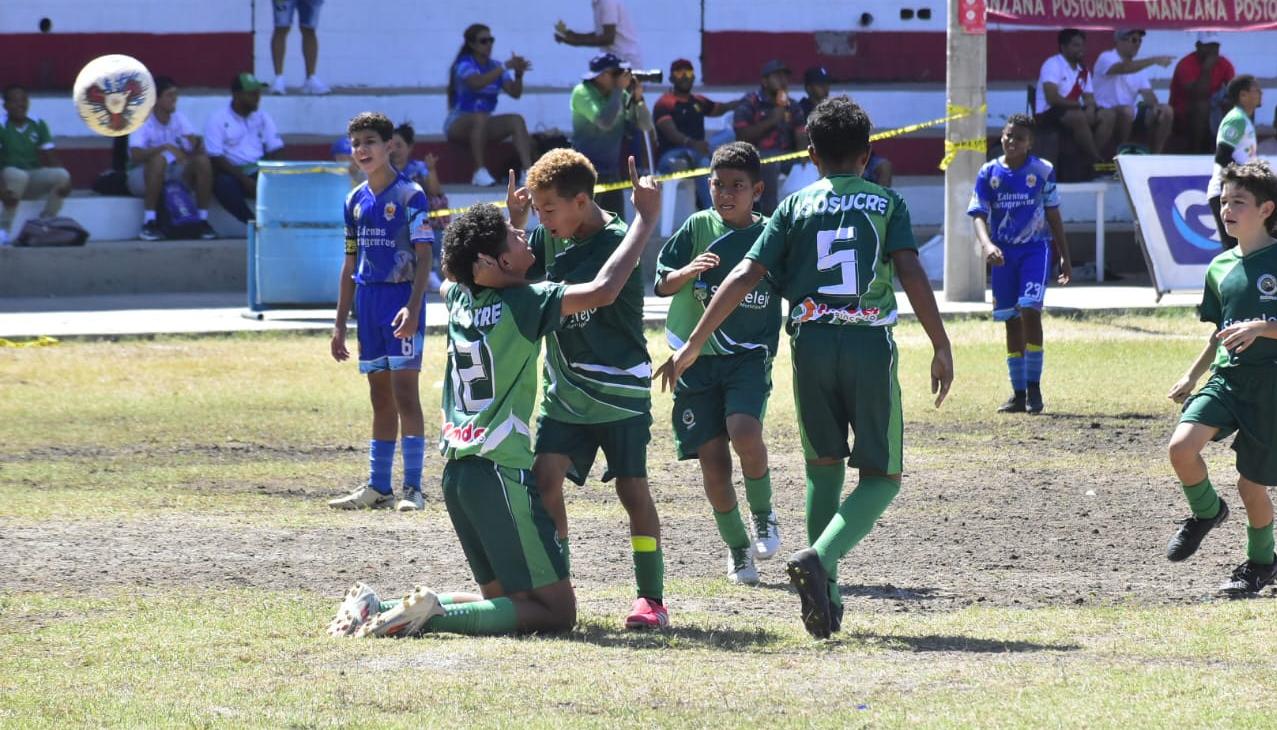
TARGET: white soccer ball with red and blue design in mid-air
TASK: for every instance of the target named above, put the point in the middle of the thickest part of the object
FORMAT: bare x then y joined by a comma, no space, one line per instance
114,95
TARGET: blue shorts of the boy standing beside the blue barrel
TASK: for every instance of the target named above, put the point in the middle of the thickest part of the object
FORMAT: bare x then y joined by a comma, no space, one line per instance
376,307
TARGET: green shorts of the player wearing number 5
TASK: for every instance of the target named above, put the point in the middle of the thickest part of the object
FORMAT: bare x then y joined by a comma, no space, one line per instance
845,377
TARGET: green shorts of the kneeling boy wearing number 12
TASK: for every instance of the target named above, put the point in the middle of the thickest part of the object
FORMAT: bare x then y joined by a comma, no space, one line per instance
502,525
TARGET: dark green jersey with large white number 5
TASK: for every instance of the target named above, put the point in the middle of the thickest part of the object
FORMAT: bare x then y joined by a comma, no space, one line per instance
828,250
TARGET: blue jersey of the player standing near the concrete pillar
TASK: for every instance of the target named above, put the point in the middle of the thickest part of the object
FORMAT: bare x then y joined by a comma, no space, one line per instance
1016,201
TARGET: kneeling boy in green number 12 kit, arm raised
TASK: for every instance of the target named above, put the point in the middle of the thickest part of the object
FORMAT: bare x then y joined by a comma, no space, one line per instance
496,324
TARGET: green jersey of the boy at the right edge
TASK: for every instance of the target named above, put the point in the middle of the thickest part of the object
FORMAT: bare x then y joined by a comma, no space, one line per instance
1243,289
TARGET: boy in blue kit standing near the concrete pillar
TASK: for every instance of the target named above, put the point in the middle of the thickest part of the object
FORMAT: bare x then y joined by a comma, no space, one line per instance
1013,205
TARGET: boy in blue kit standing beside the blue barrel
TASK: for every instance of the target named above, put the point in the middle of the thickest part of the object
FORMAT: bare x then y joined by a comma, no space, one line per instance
389,242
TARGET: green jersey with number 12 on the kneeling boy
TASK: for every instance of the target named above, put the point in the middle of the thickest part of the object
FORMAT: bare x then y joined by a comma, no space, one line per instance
490,385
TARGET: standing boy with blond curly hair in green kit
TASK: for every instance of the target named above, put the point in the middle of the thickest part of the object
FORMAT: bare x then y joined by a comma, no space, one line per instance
598,376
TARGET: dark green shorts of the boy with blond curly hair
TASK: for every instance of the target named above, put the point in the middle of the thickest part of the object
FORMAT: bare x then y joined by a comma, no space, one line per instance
624,443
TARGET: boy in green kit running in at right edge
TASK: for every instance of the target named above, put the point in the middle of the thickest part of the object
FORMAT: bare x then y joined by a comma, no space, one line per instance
1241,299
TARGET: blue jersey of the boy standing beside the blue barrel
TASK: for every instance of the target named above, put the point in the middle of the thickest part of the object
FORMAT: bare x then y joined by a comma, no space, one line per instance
382,230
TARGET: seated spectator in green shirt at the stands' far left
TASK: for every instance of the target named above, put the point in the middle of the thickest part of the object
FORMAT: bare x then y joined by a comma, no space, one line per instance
29,165
